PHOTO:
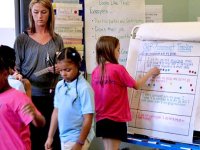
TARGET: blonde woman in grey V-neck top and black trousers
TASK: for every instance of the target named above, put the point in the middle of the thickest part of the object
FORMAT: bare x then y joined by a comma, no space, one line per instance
35,51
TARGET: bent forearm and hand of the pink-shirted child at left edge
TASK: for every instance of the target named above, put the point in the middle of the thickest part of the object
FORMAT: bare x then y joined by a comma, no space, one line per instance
38,119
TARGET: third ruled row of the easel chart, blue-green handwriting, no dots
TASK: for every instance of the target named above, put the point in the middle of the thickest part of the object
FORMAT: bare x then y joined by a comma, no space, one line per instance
160,102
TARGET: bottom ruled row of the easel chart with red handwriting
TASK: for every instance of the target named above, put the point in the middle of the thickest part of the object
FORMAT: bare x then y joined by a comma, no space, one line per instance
143,120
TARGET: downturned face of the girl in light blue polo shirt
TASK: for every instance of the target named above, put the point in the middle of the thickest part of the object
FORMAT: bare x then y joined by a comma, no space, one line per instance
68,70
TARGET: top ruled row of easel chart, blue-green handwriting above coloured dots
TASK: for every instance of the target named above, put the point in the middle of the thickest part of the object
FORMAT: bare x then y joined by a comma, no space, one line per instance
172,64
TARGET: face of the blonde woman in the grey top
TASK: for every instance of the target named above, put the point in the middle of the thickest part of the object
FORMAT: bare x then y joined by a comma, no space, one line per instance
40,14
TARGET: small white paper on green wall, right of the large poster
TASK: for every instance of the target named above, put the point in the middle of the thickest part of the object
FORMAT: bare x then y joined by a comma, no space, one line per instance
154,13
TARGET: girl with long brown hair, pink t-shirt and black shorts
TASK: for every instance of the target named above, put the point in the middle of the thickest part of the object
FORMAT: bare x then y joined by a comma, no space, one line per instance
110,81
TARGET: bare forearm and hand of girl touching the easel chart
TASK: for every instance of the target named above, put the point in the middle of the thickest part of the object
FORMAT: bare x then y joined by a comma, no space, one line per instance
152,72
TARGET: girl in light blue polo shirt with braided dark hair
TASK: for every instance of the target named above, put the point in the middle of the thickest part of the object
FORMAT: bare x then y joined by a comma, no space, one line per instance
73,105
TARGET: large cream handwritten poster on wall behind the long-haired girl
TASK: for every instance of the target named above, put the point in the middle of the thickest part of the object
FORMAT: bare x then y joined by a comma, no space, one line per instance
111,17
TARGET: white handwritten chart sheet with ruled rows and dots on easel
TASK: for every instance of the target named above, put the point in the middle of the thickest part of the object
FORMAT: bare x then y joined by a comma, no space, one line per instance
166,105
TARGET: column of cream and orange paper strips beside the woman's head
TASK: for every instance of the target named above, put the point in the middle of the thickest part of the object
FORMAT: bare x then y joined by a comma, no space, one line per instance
69,23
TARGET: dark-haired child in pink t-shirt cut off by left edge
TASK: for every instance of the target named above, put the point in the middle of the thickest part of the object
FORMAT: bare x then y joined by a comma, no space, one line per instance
16,110
